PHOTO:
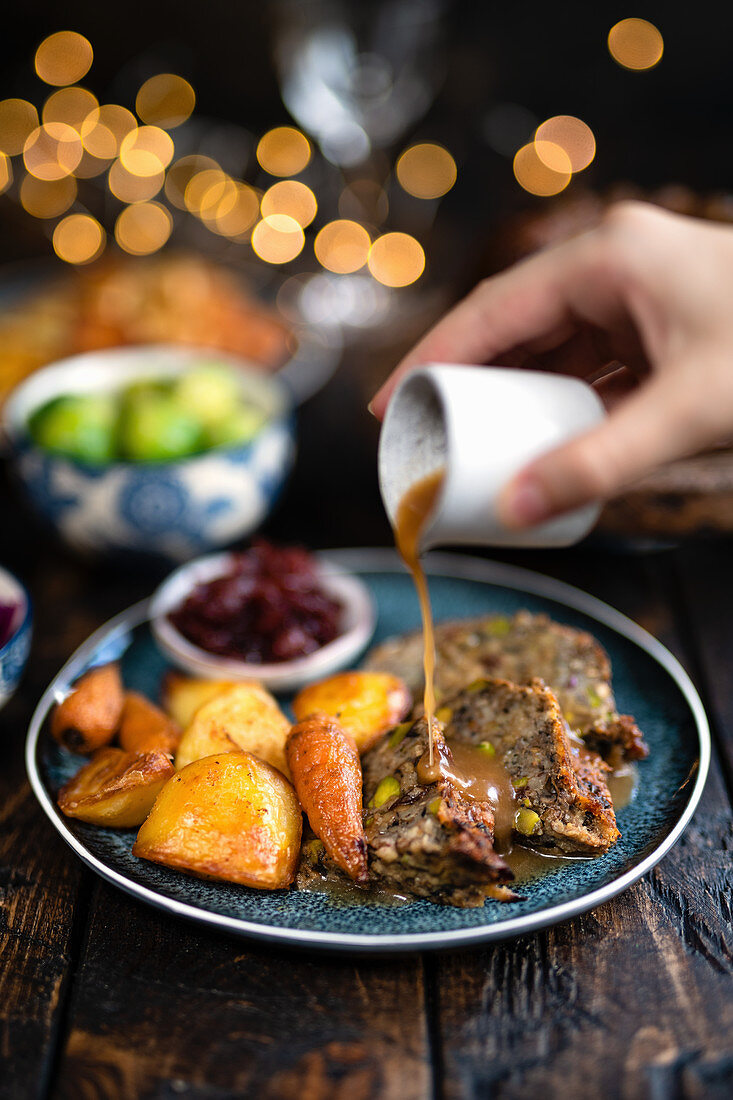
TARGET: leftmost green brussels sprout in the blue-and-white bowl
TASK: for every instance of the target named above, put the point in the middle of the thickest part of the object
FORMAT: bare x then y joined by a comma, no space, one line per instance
79,426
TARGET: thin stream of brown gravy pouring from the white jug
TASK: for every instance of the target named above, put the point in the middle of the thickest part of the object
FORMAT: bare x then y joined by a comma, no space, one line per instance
414,512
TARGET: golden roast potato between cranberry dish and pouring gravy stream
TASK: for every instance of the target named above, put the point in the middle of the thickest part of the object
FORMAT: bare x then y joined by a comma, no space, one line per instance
365,705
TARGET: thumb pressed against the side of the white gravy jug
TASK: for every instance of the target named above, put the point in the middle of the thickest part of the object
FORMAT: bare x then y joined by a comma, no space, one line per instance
648,430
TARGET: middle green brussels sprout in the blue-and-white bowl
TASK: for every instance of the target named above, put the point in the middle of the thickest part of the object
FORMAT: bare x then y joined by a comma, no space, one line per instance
155,428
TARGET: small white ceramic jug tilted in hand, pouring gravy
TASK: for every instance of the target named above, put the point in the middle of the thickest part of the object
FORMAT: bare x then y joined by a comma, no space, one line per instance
483,425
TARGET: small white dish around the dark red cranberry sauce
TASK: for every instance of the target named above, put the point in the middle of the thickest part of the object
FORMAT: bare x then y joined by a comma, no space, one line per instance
359,619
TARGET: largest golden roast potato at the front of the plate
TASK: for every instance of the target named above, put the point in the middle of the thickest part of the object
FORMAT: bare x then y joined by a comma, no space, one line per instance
227,817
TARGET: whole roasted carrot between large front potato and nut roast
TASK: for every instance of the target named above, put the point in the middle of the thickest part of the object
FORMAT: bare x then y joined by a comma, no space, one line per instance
327,776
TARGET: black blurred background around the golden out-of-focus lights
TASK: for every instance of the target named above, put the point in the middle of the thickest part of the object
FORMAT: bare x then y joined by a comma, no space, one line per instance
668,126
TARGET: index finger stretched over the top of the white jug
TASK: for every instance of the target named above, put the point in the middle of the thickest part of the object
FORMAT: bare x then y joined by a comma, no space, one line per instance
537,305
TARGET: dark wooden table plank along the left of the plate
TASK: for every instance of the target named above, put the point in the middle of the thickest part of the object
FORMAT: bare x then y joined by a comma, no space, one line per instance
40,879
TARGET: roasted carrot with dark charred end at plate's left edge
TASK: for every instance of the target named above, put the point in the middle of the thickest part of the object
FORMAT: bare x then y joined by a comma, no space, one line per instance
91,714
